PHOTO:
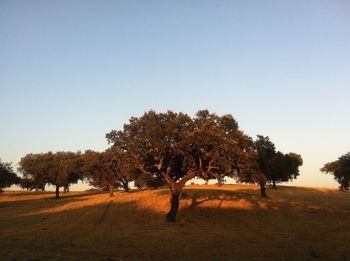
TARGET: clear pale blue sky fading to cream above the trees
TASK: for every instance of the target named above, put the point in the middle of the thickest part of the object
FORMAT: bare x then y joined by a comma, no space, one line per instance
71,71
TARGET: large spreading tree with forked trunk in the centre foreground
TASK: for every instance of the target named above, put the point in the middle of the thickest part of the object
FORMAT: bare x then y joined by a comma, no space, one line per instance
177,148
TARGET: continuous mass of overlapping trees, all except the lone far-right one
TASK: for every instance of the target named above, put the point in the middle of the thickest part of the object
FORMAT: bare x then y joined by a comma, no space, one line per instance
159,149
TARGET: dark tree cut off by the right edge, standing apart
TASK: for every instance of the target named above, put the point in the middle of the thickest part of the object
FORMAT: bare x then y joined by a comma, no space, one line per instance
340,169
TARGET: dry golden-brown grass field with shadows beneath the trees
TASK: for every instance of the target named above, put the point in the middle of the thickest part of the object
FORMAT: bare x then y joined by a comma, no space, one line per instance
230,222
